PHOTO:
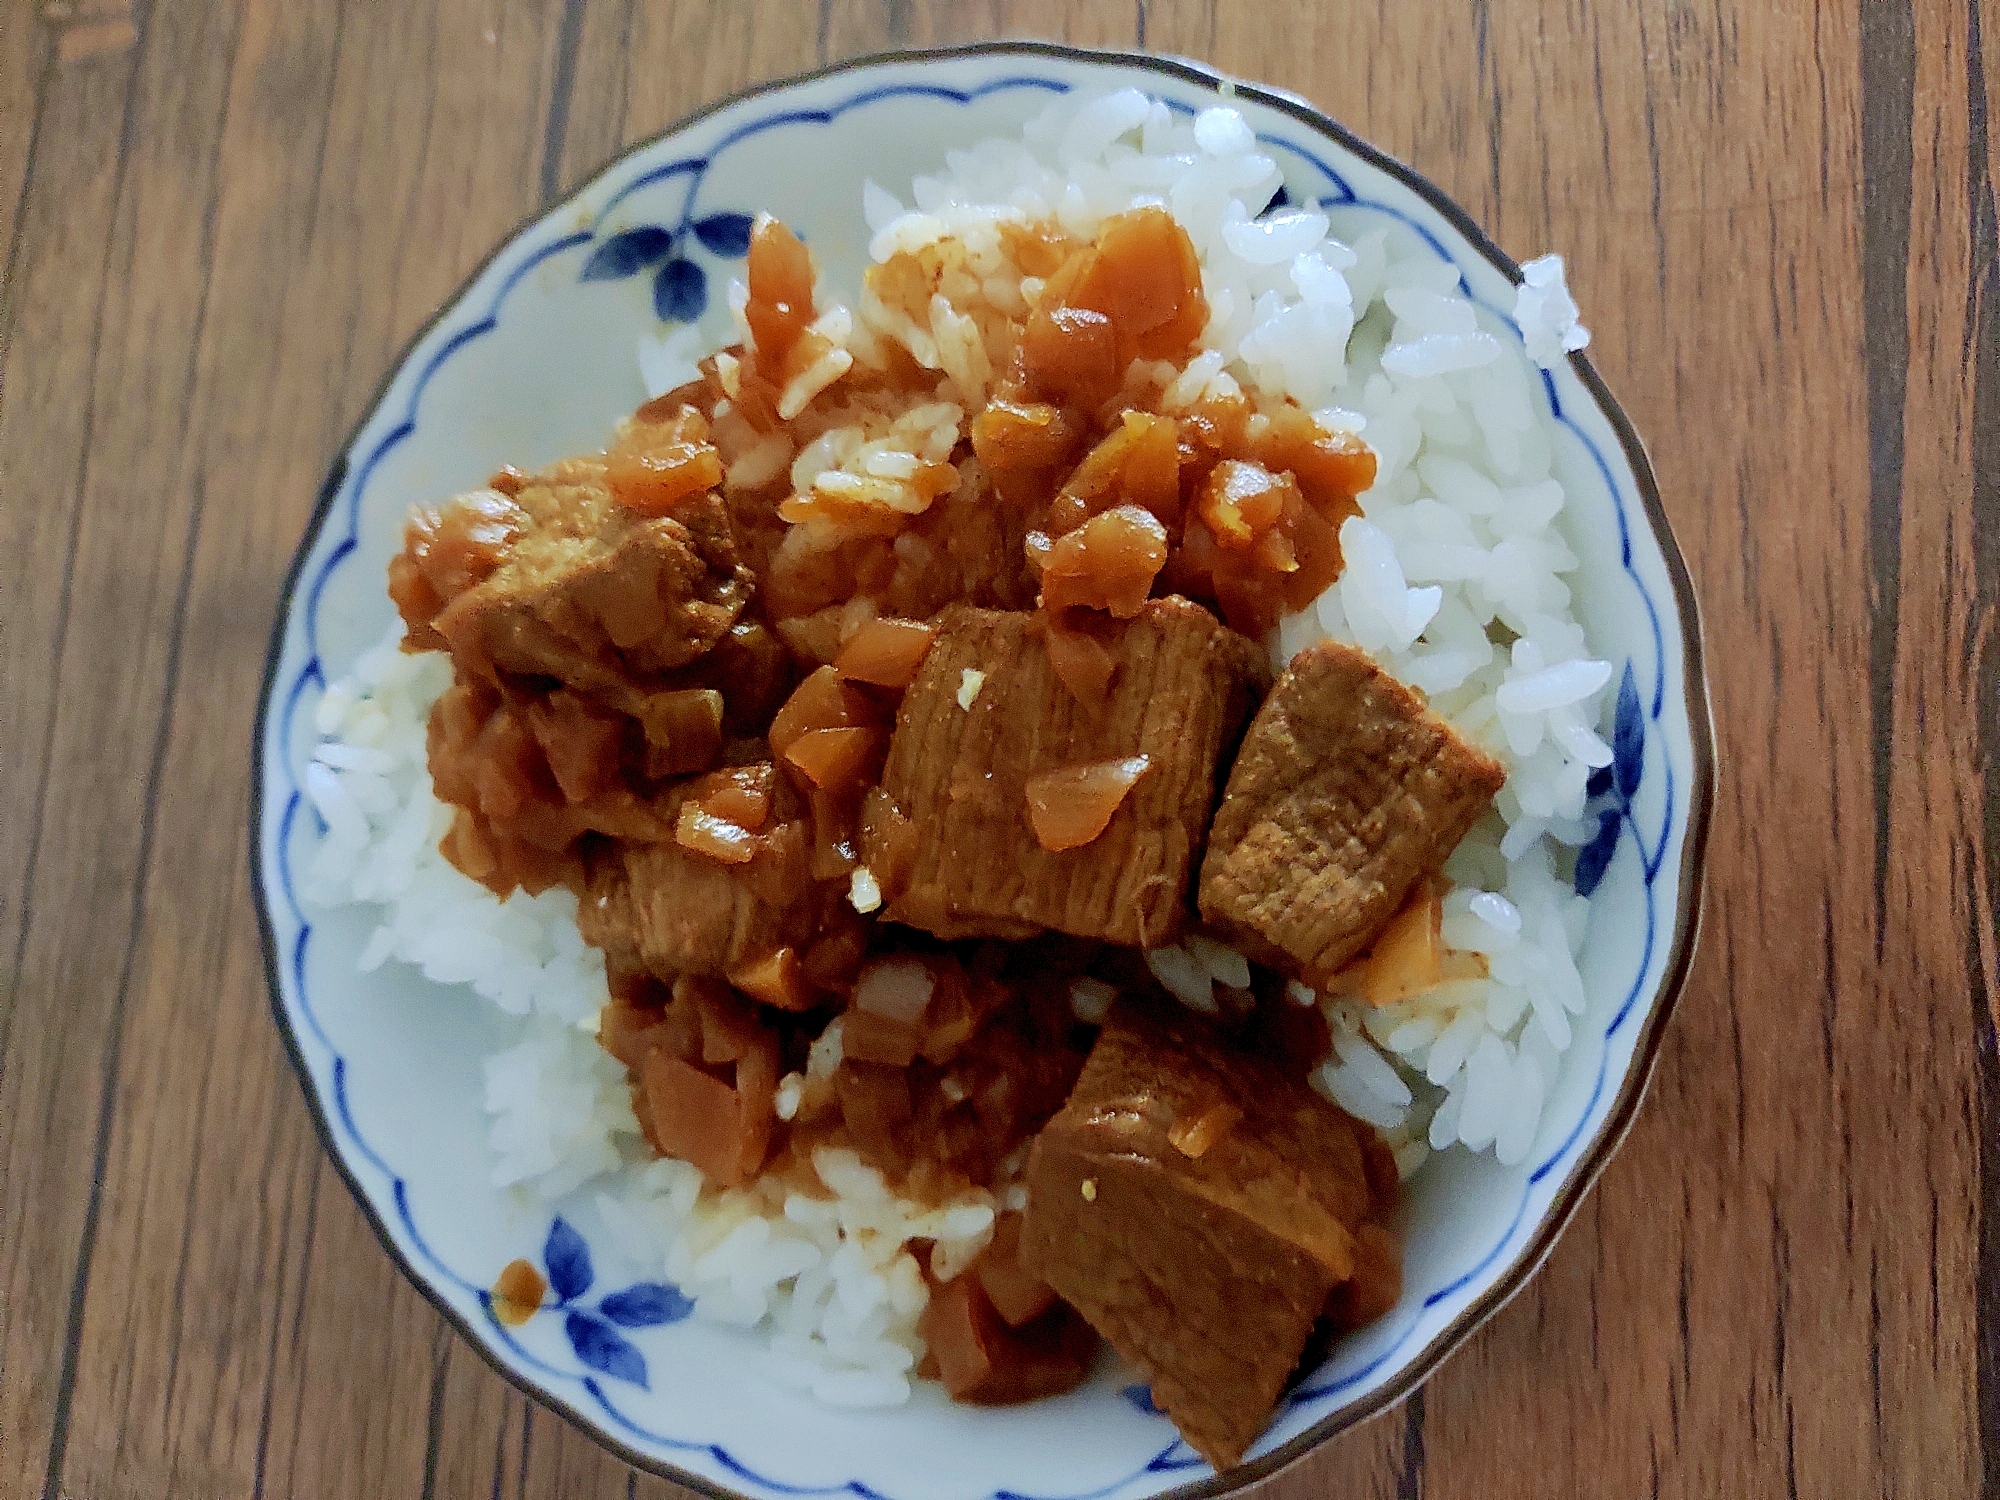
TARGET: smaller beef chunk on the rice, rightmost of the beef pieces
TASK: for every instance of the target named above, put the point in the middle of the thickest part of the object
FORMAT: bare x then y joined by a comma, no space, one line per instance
1347,793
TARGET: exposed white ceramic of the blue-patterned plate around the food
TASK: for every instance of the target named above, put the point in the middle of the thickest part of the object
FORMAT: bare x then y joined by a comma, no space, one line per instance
537,359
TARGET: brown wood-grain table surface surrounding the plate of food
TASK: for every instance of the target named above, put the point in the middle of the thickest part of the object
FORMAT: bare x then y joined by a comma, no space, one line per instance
225,219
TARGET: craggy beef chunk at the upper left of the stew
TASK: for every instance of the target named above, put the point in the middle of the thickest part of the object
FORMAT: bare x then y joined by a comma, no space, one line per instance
589,591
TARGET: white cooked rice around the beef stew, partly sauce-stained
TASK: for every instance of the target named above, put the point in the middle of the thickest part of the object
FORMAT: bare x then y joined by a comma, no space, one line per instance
1459,549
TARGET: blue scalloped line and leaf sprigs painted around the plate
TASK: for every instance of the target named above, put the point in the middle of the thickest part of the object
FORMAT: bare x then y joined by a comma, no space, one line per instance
597,1333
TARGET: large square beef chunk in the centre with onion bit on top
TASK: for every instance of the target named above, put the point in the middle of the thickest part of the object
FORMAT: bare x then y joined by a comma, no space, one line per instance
959,777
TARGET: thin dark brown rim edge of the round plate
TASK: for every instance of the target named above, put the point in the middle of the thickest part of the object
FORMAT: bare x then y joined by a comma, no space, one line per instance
1689,905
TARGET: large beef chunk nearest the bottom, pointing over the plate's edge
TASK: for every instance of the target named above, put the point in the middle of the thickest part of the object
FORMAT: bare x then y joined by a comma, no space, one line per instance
1201,1209
